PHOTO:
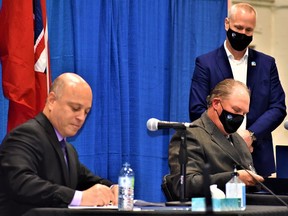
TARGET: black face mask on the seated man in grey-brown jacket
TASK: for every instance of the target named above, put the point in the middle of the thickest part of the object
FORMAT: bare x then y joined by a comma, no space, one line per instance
230,121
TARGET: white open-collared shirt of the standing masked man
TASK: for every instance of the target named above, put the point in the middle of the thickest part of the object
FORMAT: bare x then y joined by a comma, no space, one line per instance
239,71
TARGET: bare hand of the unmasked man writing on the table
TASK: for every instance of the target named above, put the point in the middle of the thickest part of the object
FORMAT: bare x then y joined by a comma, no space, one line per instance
97,195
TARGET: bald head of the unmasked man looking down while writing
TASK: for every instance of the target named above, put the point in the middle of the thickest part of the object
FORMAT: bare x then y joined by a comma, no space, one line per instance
68,103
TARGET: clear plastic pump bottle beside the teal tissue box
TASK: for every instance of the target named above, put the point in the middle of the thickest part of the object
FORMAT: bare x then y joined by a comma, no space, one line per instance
235,188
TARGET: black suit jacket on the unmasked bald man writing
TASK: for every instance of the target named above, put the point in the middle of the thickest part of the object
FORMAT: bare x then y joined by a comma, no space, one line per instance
33,170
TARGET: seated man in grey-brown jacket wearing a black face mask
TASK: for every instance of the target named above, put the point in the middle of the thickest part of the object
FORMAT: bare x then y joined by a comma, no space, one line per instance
212,140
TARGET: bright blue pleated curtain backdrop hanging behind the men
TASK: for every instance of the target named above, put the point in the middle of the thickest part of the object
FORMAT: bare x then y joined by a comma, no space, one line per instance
138,56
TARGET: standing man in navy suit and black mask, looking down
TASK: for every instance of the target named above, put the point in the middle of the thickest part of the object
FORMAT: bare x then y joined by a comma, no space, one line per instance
258,71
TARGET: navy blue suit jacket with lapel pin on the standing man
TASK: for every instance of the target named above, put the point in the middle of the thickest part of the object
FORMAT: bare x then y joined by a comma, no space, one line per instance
267,105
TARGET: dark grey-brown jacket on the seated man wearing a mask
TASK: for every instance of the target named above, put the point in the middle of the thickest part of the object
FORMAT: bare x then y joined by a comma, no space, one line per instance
206,145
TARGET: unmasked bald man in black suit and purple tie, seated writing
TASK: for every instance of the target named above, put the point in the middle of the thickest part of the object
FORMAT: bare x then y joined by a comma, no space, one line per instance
38,168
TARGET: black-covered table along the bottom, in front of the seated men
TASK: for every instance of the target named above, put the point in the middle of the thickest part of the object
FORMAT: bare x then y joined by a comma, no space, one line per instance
257,204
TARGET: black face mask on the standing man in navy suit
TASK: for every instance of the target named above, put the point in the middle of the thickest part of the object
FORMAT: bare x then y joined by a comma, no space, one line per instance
237,40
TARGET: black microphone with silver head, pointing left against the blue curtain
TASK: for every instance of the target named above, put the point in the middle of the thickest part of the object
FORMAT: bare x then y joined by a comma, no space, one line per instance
154,124
